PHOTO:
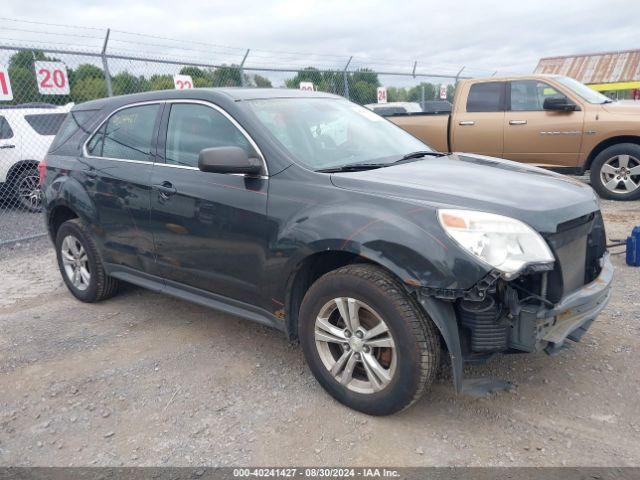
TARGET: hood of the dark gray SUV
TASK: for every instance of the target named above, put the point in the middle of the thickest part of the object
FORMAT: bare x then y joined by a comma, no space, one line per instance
538,197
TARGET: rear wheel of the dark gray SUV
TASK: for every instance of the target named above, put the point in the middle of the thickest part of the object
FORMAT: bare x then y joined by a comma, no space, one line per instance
80,264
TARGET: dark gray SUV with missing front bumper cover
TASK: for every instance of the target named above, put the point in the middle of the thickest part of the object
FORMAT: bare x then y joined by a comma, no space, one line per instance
313,215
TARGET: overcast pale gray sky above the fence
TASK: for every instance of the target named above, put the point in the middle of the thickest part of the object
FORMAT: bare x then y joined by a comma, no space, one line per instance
507,36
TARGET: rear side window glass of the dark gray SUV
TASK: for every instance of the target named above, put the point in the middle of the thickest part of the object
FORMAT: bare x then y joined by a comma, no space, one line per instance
127,135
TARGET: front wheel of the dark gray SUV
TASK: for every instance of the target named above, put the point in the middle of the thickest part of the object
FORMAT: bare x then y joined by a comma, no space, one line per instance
366,341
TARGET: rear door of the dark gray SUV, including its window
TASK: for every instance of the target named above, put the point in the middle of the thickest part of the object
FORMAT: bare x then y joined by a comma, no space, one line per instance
116,173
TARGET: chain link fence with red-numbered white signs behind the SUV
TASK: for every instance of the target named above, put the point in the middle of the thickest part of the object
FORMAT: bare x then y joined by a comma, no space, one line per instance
38,86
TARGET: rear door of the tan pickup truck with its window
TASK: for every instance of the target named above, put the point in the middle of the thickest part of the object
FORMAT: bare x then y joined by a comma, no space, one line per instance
478,127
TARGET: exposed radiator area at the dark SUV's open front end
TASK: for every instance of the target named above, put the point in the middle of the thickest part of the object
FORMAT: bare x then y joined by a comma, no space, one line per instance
577,245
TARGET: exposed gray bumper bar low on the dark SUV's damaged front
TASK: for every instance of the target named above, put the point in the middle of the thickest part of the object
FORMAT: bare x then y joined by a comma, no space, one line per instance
574,313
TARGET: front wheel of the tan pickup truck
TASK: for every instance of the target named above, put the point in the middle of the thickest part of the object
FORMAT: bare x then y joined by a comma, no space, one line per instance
615,172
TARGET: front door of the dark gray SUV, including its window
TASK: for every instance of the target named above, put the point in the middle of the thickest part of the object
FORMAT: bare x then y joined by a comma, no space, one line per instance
210,229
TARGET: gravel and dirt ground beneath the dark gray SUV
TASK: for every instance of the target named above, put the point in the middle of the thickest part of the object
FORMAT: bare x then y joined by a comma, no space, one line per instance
145,379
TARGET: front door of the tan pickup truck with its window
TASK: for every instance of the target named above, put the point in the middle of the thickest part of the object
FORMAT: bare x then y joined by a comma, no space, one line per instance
535,135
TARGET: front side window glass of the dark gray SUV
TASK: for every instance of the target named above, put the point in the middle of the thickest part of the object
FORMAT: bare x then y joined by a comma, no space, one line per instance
193,128
